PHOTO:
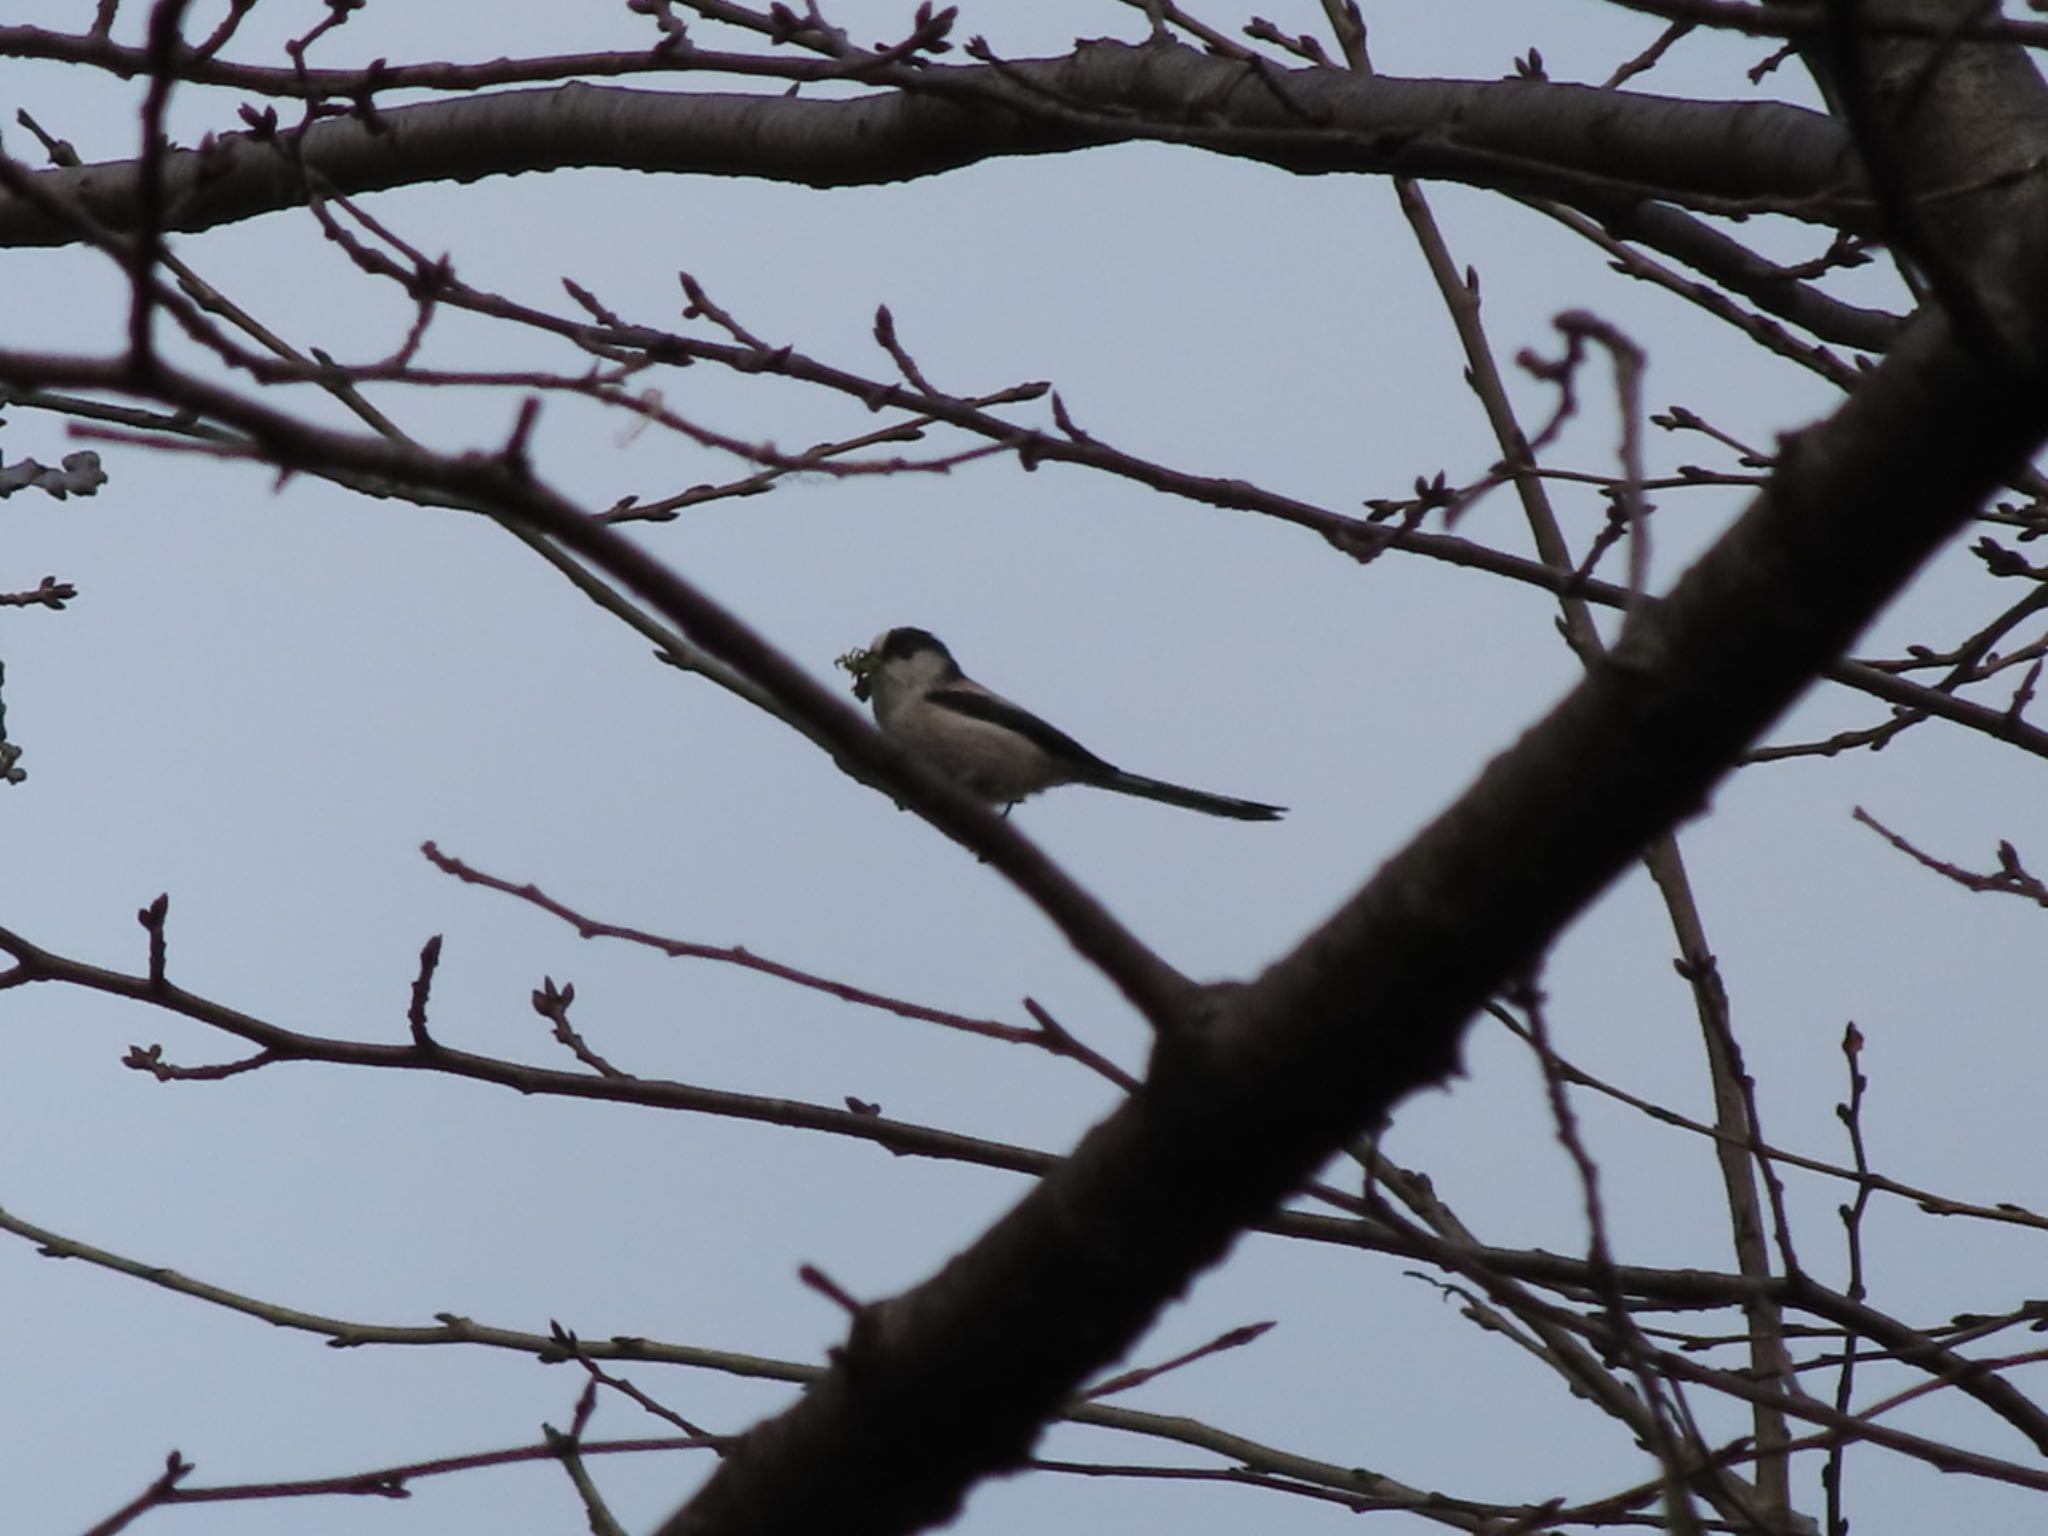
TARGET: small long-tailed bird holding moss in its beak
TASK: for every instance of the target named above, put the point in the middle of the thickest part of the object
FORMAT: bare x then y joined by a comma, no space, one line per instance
990,746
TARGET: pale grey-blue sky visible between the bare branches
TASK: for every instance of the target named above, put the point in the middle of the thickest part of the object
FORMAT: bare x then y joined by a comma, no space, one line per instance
267,697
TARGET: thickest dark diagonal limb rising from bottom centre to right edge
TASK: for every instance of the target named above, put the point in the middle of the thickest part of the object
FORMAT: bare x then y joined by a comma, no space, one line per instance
953,1379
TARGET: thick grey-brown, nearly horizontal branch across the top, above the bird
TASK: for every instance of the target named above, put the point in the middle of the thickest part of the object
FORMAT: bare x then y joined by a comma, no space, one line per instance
1576,144
